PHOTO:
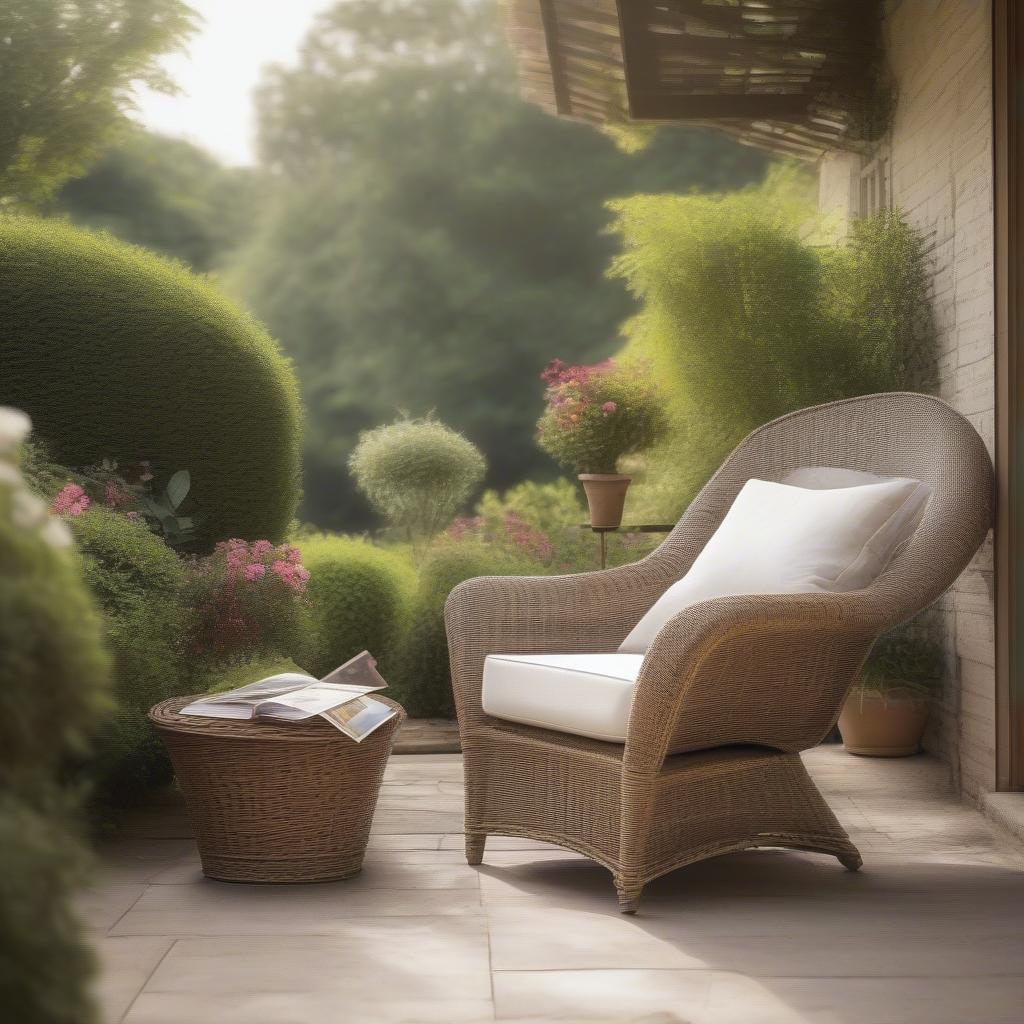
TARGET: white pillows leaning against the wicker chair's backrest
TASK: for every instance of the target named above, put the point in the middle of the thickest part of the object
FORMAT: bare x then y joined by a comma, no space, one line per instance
814,534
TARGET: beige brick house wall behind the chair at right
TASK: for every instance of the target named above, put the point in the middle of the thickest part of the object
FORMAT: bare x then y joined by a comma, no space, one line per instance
942,151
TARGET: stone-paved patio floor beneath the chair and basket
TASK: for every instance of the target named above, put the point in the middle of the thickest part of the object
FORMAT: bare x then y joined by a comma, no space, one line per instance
931,931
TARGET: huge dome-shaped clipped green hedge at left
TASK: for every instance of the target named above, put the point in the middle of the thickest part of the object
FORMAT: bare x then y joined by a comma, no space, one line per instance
117,353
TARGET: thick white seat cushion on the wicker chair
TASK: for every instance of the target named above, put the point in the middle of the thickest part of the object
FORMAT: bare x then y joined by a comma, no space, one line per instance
584,695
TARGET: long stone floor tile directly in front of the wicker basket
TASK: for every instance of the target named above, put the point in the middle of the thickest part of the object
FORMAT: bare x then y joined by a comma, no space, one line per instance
223,909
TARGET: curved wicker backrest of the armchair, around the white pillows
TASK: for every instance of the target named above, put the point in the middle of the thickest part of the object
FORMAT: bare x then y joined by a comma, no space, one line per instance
894,435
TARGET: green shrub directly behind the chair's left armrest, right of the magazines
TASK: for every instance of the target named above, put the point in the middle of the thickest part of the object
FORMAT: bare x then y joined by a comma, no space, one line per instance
423,686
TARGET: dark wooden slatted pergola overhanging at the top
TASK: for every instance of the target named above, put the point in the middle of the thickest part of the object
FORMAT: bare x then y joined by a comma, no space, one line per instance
796,77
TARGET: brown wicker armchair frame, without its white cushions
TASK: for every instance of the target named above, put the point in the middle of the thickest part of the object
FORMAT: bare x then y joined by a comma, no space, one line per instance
733,689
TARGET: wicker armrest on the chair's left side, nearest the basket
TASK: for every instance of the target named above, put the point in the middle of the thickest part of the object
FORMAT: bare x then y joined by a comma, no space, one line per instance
589,612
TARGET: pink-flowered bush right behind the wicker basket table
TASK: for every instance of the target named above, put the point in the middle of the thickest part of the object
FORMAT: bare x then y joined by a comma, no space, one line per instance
248,599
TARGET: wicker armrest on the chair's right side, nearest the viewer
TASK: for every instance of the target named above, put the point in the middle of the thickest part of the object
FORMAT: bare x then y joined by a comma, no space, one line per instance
770,670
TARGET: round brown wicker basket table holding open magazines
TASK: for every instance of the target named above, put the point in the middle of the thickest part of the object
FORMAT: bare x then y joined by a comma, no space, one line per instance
276,802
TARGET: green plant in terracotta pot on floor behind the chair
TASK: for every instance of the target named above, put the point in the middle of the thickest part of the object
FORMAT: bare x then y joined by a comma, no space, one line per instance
886,712
